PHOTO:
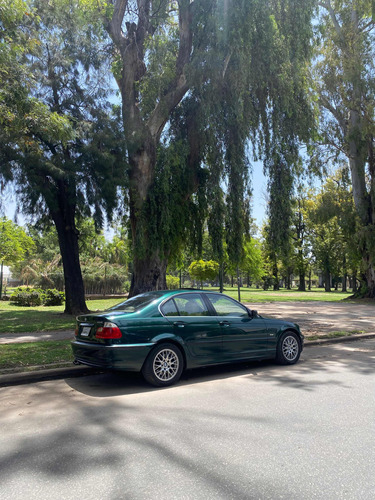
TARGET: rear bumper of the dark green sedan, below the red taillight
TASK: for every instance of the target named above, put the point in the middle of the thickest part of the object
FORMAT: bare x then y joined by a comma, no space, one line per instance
117,357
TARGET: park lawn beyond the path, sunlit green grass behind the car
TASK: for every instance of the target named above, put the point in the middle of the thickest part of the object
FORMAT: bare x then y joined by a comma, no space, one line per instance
14,319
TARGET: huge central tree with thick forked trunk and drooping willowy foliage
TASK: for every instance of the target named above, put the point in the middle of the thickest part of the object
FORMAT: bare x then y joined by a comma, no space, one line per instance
218,68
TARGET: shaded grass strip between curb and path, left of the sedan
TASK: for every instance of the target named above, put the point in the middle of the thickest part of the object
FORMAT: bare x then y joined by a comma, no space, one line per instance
21,357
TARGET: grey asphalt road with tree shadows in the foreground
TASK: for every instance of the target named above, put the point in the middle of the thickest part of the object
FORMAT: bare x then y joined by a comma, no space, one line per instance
255,431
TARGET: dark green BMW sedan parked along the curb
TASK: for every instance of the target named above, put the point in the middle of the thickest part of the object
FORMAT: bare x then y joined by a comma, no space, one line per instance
163,333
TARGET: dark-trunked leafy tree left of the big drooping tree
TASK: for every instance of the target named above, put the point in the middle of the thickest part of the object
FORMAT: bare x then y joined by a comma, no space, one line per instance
67,163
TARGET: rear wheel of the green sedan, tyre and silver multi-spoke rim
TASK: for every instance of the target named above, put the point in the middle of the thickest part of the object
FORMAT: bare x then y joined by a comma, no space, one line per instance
164,365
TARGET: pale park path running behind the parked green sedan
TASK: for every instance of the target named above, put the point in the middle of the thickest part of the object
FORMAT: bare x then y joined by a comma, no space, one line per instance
314,318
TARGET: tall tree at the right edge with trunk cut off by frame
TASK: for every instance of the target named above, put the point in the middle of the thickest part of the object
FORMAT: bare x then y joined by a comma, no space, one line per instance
346,85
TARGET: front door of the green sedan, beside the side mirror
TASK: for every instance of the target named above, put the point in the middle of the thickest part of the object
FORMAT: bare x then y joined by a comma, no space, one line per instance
243,335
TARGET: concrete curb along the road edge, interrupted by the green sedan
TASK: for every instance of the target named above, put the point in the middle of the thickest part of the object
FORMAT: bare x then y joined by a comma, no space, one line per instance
81,371
